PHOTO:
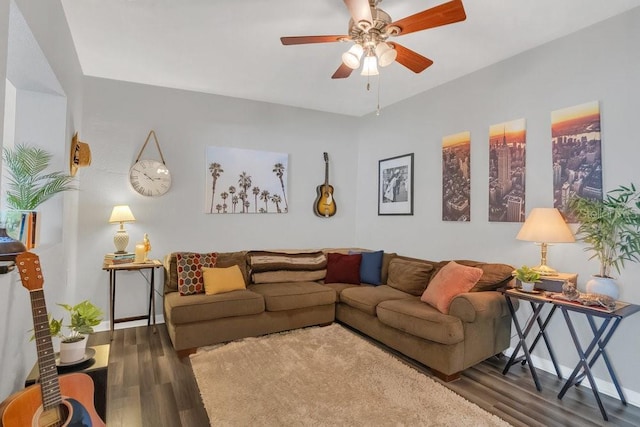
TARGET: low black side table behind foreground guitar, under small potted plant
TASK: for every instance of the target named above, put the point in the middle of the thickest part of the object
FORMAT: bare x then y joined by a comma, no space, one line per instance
96,368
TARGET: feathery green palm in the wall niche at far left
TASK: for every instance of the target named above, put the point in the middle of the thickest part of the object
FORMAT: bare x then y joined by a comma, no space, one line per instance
28,185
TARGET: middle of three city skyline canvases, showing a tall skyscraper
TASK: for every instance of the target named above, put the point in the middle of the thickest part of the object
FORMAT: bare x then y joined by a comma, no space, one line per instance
507,171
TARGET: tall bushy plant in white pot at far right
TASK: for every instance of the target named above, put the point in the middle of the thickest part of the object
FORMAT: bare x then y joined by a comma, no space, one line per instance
611,230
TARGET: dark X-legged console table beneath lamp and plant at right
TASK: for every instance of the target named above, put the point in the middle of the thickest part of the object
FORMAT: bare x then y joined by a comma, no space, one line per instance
588,355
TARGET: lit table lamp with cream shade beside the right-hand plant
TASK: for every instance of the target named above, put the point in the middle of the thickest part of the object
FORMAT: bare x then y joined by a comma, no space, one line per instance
543,226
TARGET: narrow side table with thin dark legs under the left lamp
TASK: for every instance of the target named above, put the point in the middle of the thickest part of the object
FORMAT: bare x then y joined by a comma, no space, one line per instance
139,267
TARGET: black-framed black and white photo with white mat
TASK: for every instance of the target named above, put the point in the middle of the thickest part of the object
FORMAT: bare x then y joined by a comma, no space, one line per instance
395,185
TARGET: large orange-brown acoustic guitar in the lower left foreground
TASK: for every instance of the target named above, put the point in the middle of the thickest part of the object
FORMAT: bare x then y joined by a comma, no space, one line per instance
65,400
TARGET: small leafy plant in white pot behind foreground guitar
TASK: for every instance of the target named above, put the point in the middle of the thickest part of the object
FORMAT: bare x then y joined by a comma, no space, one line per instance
83,317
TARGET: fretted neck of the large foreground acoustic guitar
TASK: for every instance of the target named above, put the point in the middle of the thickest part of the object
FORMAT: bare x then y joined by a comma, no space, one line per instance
46,356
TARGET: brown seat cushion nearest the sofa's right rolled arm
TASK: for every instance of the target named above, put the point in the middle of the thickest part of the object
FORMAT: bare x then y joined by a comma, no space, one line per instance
419,319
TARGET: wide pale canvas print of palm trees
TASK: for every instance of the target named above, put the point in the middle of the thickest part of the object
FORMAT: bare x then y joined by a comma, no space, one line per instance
240,181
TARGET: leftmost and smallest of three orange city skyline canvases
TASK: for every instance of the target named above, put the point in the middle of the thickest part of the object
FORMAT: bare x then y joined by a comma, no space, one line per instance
456,177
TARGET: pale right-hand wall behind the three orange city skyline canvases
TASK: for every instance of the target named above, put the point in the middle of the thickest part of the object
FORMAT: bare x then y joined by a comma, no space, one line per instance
599,63
